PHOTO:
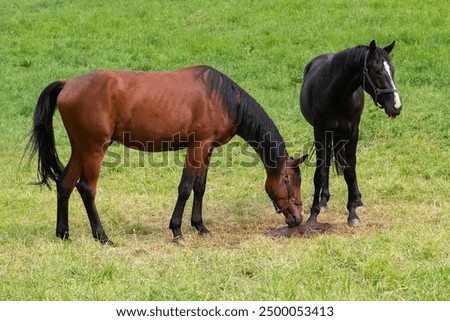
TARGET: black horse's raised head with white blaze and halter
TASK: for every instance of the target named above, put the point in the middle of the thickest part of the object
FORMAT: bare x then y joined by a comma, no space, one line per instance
378,79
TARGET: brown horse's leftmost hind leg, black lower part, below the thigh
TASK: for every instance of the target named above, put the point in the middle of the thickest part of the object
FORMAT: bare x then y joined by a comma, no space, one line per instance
65,186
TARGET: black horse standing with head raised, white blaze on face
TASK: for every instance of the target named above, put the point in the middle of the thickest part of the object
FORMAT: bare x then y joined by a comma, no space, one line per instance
332,101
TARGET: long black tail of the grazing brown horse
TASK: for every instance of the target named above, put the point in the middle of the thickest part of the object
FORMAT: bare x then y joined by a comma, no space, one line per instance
42,138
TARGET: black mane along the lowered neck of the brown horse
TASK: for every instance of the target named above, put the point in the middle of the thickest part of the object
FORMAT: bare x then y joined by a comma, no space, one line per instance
251,121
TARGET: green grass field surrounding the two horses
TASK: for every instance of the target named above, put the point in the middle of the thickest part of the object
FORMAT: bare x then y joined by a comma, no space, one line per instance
400,252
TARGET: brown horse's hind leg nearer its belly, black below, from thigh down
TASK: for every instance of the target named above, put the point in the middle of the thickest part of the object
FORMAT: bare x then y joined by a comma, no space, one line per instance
87,187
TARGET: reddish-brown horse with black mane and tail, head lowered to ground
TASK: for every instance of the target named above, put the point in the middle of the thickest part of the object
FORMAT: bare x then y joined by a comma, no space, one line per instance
197,108
